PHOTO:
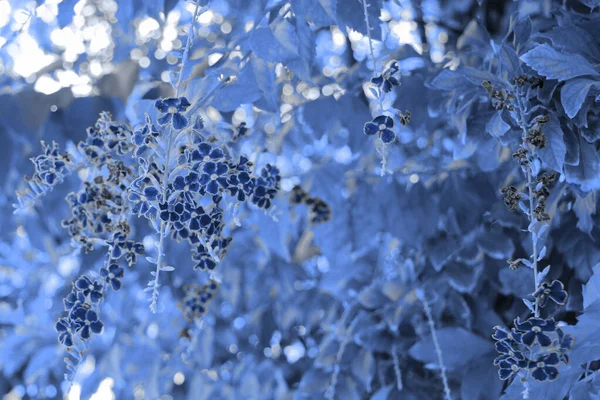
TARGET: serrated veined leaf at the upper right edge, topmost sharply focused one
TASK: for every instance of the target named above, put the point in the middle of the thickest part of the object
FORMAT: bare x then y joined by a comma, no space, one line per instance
548,62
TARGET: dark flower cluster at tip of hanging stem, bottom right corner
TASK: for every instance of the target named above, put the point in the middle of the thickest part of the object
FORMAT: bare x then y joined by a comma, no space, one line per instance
534,347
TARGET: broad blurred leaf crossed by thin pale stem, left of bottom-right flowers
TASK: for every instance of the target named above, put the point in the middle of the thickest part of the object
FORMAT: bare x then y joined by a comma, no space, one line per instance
458,347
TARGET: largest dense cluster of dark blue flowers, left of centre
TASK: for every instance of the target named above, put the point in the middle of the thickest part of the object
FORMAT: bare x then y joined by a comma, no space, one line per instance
186,195
